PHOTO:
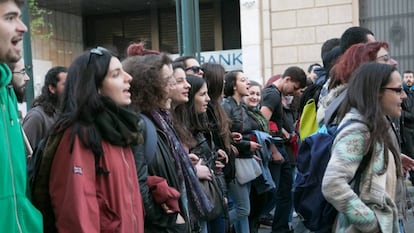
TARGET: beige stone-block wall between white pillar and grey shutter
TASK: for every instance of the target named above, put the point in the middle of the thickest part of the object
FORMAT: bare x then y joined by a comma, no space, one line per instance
299,27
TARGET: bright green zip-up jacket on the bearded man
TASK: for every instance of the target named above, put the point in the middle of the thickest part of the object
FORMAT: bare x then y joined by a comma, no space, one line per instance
17,214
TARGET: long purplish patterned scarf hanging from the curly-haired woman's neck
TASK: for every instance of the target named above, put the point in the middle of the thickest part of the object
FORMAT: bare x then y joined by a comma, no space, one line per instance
198,202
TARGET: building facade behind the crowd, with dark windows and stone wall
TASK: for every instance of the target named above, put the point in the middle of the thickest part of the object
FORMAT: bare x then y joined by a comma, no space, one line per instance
264,36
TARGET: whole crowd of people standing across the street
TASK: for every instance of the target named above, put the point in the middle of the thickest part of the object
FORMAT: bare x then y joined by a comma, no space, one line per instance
222,151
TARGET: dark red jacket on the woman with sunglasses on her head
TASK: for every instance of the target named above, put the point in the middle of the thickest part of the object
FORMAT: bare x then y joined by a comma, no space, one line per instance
86,202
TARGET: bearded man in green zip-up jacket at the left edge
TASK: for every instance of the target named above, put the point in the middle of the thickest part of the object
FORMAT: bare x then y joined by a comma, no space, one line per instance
17,213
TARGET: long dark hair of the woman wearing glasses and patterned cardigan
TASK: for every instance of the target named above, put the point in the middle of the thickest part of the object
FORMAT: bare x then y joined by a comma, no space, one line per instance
364,94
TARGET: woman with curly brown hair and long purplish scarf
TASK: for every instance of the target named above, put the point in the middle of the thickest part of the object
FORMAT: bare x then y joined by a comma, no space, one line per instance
151,88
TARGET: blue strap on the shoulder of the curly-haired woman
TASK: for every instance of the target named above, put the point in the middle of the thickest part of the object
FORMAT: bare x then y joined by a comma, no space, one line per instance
150,138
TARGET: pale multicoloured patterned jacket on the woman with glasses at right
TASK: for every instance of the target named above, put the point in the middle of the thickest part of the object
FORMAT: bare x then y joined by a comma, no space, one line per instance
374,210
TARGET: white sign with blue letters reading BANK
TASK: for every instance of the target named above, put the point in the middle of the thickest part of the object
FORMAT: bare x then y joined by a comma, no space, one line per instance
229,59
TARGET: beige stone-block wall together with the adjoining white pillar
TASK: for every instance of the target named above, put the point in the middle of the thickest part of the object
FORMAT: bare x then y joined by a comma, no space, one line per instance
277,34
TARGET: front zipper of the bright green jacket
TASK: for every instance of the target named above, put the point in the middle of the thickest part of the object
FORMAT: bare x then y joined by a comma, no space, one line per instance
8,151
